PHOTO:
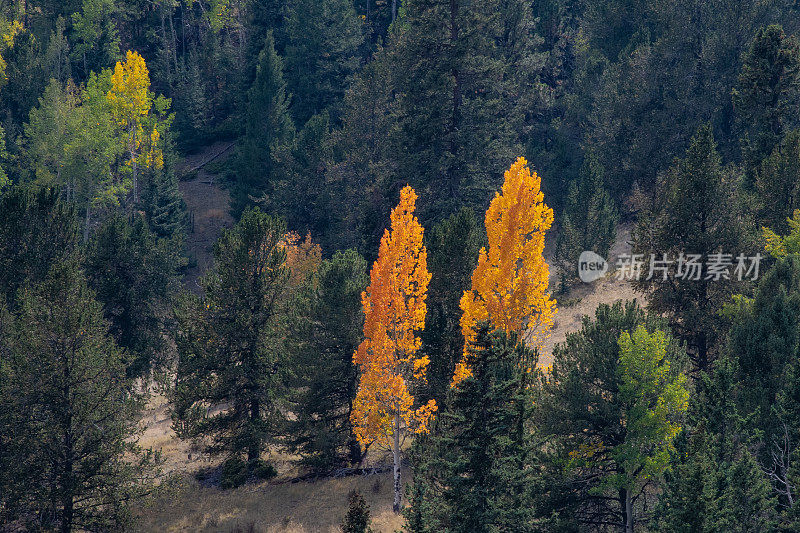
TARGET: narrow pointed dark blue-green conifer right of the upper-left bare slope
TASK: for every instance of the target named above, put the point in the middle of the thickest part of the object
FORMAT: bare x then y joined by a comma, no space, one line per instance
269,132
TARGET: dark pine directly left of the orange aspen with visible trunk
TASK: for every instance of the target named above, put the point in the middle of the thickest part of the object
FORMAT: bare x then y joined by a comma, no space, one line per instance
322,432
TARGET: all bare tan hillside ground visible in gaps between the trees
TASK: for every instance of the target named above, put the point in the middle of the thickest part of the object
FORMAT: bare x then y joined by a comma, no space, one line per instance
282,505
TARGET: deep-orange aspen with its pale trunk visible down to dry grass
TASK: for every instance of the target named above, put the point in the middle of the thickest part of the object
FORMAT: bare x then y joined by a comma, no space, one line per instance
394,311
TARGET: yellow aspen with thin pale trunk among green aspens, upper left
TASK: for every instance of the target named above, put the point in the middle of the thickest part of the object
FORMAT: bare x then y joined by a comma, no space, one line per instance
131,100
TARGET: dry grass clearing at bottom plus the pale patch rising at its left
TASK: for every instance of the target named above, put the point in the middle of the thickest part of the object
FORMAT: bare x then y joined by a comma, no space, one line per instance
276,506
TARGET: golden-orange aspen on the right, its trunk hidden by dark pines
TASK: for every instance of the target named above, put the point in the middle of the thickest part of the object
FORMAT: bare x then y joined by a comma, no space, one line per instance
509,284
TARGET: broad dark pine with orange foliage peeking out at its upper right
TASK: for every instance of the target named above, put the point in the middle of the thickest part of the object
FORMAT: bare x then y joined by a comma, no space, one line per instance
230,344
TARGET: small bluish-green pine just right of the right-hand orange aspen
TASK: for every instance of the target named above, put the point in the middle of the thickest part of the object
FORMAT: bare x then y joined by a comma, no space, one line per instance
589,221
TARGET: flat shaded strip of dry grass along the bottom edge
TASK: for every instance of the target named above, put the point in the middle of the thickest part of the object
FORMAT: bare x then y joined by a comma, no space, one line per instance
269,507
